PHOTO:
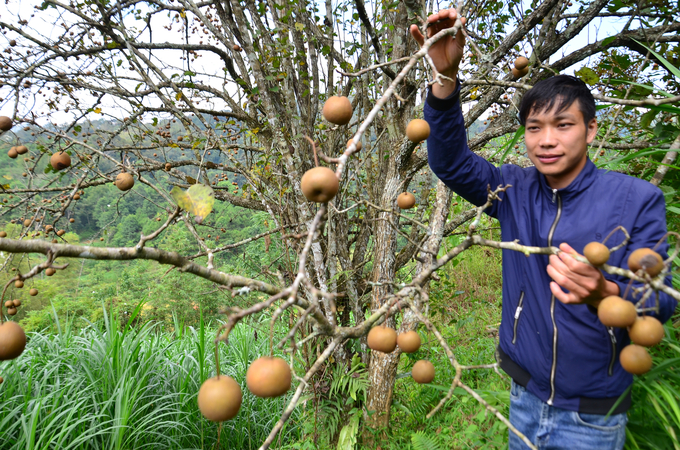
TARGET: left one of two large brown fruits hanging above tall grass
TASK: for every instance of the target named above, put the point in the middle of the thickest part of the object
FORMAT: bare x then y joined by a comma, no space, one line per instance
219,398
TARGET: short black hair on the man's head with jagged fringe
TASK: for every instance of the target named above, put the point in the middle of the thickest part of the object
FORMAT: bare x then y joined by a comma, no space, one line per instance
560,90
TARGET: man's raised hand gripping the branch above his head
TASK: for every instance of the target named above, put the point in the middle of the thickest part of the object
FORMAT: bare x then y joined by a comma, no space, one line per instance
447,52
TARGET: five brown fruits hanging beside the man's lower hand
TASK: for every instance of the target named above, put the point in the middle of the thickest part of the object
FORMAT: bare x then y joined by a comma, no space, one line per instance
614,311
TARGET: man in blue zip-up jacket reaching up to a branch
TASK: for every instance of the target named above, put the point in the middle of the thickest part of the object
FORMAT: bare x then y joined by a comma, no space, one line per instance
563,361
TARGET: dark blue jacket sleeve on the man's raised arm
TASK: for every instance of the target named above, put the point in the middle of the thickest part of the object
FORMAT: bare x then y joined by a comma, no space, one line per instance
449,156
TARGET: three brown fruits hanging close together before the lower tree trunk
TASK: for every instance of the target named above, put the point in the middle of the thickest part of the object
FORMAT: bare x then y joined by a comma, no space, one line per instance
384,339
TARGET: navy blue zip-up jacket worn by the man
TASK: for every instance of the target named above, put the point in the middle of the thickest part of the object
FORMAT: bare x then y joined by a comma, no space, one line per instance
561,353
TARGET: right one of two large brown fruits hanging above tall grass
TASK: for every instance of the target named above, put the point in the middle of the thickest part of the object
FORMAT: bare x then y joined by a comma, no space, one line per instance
268,377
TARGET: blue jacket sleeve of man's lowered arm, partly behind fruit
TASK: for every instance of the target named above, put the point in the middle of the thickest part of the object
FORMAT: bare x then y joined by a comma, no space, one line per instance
649,228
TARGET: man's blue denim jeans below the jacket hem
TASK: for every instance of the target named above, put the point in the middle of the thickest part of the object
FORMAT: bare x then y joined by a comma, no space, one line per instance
551,428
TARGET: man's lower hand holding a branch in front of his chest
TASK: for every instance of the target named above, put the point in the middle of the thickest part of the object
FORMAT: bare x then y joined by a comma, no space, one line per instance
585,283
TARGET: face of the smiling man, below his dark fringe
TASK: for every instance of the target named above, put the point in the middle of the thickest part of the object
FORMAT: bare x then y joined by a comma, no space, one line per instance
557,143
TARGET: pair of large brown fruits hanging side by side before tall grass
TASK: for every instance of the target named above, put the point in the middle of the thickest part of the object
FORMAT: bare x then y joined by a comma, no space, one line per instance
220,397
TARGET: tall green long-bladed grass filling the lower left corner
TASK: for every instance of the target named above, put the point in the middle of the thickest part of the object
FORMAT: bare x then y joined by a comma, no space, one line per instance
114,387
